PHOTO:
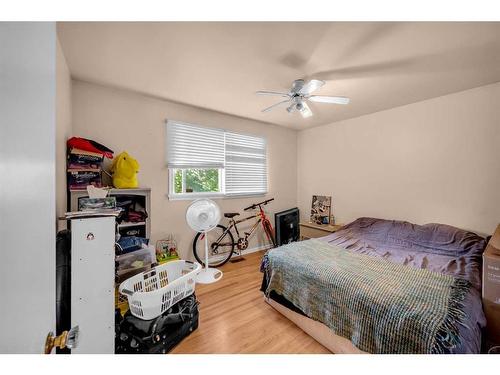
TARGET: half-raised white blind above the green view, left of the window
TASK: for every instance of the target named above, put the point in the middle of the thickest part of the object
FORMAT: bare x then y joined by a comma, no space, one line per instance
190,146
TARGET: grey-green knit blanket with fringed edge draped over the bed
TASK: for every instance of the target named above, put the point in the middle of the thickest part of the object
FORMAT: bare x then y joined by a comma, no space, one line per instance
382,307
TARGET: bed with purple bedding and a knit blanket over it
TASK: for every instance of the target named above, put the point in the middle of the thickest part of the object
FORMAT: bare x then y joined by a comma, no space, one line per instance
432,306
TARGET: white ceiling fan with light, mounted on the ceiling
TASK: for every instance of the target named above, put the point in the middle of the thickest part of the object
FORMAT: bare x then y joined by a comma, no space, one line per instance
299,94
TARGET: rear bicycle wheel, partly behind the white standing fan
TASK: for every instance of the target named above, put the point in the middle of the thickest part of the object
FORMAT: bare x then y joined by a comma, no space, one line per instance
218,252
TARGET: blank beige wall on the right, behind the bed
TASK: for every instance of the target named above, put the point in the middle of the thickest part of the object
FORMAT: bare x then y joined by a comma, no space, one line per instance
432,161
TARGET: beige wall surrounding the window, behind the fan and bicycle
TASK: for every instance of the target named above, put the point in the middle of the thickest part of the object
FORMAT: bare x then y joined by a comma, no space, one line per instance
123,120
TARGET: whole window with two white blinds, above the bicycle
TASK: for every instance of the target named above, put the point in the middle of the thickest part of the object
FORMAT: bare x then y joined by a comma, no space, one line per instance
206,162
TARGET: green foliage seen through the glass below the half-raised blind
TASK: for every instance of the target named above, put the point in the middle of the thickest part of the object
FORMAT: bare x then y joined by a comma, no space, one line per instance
197,180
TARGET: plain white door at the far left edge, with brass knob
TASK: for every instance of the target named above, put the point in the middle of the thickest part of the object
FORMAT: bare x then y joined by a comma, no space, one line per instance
27,185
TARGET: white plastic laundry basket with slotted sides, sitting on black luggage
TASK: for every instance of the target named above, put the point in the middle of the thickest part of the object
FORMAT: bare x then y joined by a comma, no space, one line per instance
153,292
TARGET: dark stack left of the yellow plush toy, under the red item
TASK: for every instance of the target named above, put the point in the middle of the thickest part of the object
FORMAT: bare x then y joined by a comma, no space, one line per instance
84,168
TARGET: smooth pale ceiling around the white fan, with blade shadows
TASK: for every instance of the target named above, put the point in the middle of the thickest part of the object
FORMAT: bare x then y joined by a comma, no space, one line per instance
219,66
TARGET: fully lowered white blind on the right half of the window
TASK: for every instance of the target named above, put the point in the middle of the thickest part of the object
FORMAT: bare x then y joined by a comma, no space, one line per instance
246,166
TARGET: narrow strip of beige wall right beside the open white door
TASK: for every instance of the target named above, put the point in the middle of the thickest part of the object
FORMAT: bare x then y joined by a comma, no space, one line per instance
63,130
